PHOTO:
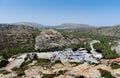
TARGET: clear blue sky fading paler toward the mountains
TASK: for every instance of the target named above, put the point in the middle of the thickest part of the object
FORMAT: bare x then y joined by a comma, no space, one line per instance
55,12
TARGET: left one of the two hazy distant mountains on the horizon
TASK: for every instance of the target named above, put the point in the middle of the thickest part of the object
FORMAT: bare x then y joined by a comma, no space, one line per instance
37,25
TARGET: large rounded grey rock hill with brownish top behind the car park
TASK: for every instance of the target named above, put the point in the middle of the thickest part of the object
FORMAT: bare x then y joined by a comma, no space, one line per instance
49,39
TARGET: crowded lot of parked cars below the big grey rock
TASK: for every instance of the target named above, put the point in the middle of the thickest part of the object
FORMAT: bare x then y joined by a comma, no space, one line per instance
81,55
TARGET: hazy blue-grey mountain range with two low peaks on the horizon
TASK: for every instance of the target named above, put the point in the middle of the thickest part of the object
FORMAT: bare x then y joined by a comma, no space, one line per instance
62,26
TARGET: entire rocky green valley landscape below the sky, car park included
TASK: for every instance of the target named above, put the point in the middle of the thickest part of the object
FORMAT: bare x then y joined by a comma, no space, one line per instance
58,53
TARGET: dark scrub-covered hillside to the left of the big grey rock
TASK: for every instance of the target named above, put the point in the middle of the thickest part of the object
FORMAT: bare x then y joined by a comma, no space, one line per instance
16,37
